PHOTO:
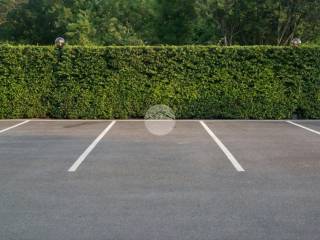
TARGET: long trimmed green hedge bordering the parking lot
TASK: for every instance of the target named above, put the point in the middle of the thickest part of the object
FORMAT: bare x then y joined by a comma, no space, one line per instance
195,81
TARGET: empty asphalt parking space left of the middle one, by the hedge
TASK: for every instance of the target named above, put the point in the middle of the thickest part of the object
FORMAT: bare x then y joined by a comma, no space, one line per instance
42,148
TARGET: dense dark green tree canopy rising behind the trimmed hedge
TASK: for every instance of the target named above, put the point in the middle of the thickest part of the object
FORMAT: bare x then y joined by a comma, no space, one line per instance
153,22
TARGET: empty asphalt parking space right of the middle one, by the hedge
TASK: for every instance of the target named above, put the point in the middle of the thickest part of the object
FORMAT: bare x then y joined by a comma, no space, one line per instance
269,147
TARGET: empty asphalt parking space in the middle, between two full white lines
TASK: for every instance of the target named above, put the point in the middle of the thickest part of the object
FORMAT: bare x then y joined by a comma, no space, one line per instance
130,149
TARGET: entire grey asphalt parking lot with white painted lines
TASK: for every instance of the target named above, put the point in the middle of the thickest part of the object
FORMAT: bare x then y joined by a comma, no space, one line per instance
116,180
